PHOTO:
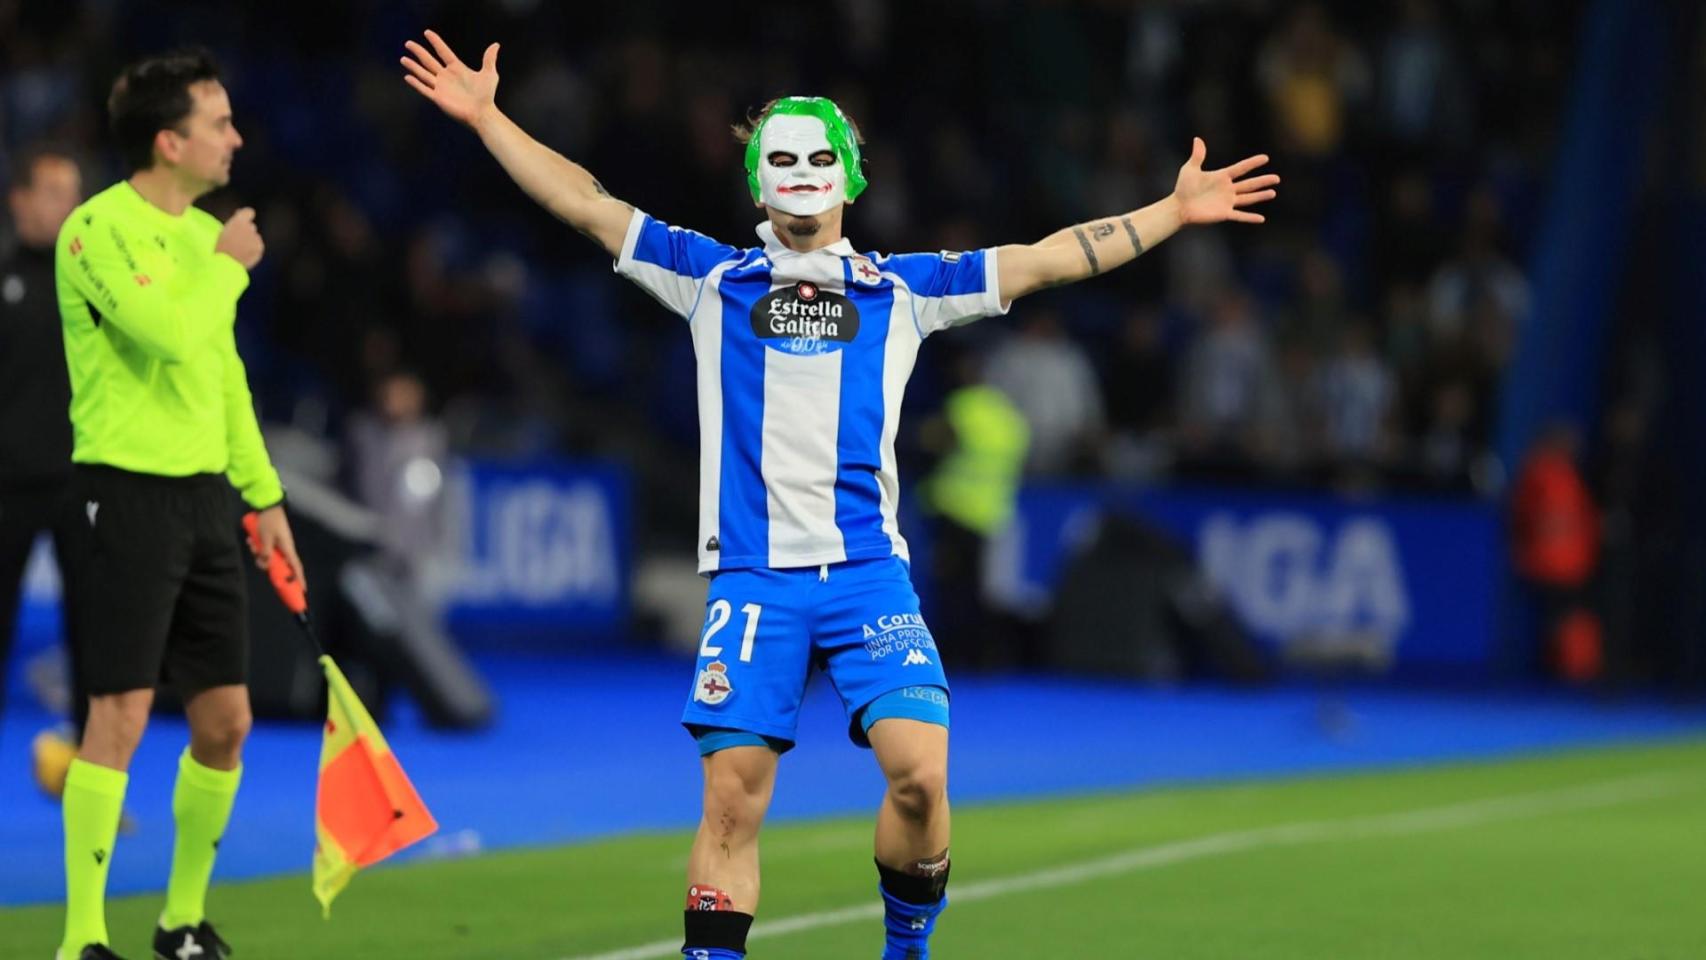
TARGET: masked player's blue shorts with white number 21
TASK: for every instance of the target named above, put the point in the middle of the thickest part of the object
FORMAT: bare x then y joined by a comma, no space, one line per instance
765,632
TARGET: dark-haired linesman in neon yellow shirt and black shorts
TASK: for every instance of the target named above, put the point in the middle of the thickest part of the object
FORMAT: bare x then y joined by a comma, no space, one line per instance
165,427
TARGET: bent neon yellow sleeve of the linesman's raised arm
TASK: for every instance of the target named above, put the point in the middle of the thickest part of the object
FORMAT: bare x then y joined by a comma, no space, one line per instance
165,320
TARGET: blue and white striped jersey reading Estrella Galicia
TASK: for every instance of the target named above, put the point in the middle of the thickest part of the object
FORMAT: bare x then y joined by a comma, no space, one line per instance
803,361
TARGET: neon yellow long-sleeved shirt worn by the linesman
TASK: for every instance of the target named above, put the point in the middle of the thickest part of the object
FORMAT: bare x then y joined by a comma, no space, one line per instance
149,315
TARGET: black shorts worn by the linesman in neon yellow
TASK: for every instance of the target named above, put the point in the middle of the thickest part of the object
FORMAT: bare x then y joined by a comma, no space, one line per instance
163,586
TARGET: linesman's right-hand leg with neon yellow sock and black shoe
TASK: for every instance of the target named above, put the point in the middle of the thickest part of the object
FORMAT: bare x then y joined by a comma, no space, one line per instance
207,787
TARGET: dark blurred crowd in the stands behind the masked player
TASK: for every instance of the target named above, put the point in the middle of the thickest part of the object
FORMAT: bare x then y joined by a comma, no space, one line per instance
1354,342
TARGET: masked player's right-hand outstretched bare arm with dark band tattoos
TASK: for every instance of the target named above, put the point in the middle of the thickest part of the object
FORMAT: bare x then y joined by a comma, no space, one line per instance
1088,250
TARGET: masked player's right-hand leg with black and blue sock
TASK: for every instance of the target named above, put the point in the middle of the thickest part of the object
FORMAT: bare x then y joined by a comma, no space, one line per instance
912,831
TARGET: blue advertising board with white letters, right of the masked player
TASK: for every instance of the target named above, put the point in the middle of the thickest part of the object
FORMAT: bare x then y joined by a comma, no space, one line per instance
1419,577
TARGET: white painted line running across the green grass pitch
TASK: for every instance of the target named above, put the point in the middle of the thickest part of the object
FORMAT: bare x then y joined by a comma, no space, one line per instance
1454,816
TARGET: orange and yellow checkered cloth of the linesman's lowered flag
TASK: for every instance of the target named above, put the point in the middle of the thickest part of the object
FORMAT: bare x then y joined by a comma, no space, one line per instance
366,809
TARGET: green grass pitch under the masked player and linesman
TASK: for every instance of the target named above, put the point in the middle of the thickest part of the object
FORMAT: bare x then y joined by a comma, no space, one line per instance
1584,855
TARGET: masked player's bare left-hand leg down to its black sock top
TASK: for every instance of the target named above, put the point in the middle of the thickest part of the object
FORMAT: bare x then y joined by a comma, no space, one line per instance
722,869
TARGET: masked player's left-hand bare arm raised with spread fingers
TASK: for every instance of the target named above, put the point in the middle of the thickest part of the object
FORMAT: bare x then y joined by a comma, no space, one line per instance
555,182
